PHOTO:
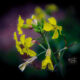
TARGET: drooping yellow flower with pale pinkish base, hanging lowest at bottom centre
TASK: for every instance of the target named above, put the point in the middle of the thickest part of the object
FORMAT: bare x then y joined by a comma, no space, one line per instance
47,61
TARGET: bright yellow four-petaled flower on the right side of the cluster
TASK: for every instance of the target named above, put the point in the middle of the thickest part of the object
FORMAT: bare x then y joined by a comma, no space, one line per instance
52,26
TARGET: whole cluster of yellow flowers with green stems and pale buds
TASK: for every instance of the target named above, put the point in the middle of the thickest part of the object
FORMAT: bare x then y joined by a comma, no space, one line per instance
41,23
